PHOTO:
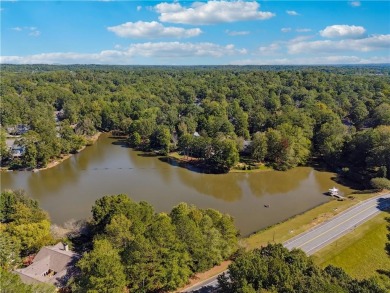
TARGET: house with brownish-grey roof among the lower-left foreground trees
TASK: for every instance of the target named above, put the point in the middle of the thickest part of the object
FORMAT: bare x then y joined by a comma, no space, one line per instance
53,265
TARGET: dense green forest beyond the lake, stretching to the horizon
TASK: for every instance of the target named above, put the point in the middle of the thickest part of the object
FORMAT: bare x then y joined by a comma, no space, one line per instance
279,116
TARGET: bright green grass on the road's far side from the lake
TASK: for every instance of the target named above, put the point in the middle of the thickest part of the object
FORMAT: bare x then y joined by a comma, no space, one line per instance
360,253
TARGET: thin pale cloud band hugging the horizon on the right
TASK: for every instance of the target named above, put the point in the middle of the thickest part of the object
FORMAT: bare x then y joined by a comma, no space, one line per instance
327,60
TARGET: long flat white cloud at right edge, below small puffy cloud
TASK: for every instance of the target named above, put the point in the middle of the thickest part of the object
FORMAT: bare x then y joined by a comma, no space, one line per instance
377,42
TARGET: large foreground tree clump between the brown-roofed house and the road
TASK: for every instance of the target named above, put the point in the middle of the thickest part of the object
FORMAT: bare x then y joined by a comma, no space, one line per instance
154,251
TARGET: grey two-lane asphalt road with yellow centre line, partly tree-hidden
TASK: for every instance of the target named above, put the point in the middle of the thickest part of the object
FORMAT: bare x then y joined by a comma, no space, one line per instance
313,240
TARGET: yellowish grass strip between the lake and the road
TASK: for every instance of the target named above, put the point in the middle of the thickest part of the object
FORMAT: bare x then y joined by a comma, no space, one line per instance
281,232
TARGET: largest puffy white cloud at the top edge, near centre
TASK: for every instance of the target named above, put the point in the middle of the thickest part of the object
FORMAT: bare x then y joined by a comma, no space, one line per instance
211,12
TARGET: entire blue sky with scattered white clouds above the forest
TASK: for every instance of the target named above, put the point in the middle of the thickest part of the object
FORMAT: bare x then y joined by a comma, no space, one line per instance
195,33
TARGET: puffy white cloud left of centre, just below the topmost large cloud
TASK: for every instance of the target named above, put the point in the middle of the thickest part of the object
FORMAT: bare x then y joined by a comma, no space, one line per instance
151,30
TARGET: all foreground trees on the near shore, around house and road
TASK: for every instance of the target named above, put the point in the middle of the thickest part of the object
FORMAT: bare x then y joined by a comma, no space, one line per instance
127,247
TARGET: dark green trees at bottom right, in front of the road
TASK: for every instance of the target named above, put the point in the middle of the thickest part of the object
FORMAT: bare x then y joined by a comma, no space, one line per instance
276,269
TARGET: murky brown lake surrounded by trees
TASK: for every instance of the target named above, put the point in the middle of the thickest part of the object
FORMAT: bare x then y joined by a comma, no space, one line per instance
70,189
